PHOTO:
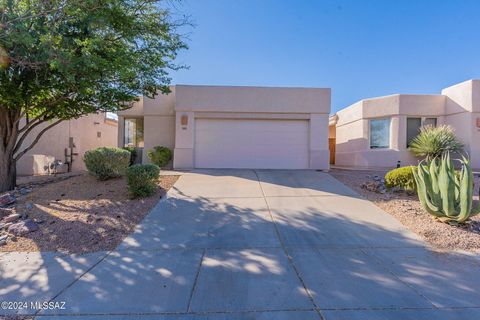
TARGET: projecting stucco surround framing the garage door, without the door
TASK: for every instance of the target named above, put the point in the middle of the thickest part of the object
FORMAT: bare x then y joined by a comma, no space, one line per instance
251,103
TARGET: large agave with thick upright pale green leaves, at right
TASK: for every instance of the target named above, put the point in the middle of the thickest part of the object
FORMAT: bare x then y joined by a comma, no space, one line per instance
445,193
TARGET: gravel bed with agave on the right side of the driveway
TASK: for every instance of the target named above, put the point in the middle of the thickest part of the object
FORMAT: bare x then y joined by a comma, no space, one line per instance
407,209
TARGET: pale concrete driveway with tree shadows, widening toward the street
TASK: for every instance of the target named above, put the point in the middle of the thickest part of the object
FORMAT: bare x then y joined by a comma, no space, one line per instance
245,244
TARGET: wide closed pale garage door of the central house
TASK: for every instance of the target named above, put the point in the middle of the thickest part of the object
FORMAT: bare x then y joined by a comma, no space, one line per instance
258,144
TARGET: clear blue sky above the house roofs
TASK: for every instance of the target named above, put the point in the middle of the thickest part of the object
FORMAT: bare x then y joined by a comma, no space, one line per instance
359,48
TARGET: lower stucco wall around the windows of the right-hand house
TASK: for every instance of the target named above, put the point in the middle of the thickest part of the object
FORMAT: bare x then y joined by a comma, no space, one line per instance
352,131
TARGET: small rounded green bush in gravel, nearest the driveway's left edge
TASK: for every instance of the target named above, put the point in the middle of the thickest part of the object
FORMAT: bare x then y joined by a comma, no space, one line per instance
142,179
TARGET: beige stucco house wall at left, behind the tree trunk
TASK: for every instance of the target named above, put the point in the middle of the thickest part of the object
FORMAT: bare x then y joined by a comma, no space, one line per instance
67,142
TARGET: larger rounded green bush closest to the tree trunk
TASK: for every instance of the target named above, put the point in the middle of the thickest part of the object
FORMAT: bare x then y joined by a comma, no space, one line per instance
105,162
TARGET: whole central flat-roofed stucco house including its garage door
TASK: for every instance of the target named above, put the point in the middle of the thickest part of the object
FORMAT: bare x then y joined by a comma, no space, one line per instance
233,127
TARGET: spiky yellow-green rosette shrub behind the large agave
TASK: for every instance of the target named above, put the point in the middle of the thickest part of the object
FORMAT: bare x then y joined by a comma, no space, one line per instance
434,142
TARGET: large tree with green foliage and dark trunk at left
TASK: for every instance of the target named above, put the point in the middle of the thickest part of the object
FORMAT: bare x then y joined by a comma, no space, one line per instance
63,59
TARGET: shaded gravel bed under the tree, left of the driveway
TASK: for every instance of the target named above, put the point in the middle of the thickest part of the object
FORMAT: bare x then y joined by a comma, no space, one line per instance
76,214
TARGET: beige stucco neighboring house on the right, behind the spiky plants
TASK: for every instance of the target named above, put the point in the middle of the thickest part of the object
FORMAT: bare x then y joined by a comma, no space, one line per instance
376,132
